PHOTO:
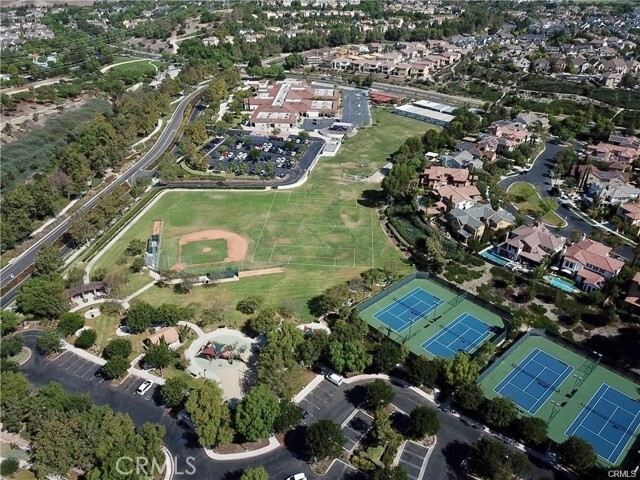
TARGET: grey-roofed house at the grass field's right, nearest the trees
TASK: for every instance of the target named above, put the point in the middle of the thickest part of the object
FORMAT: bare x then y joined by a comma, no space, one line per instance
474,221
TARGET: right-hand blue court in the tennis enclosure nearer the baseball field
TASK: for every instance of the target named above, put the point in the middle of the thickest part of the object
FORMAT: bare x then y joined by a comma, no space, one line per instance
465,333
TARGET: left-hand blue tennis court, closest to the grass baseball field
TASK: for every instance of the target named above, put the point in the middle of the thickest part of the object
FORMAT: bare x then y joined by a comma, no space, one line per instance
408,309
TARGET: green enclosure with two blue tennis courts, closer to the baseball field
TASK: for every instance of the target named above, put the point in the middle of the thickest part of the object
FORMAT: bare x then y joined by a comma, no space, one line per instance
430,319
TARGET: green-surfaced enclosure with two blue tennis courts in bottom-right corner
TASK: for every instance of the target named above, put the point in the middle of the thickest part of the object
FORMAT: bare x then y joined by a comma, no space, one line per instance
540,375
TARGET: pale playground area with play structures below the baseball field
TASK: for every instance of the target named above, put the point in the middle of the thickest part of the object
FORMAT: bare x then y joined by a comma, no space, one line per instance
226,356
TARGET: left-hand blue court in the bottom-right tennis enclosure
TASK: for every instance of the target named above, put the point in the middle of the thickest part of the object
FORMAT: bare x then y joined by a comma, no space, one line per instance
533,381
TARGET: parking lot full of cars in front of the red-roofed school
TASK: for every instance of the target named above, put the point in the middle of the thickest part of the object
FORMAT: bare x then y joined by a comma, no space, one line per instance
266,157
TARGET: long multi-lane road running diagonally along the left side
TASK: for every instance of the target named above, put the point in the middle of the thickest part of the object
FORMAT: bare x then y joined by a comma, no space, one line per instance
23,262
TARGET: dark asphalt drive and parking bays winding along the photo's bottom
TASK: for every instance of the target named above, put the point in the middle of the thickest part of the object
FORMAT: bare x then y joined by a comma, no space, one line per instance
76,374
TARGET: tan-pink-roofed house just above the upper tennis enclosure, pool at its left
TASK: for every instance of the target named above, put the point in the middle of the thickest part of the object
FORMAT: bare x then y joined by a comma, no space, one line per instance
530,243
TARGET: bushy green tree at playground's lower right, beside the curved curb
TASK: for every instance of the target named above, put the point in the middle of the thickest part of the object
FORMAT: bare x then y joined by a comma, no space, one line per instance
257,413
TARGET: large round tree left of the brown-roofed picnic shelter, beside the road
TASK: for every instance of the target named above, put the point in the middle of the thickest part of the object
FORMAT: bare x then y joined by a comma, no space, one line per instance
43,297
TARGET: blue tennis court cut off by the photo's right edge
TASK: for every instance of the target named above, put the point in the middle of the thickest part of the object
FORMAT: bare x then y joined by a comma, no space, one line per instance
608,422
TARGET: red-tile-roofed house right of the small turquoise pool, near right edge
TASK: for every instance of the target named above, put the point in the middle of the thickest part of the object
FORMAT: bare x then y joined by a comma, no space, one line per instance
589,262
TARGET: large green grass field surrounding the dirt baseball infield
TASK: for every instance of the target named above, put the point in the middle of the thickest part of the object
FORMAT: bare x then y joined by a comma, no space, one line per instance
323,233
